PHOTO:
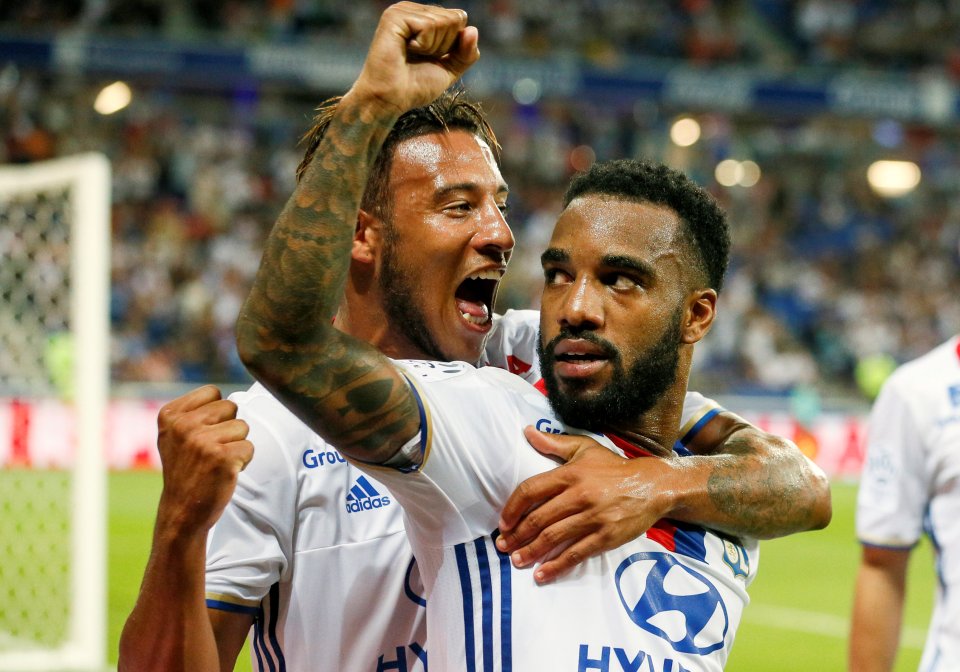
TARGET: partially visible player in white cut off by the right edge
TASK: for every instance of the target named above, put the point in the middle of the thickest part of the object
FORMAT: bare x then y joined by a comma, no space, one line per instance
910,486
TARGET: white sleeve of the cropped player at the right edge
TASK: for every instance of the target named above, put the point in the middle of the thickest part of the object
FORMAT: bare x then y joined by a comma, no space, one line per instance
893,487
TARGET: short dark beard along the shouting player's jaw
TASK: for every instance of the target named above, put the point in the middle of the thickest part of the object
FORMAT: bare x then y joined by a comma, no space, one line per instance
399,296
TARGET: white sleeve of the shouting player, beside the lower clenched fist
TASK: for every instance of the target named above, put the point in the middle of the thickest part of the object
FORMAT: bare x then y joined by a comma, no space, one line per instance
249,548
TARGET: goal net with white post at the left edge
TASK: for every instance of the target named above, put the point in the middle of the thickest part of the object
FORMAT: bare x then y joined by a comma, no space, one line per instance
54,378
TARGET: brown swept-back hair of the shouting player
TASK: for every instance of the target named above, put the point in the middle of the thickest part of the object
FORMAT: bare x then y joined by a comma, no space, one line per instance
452,110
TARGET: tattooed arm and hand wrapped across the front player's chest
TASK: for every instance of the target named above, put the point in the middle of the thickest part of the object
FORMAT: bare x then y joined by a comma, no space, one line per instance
741,481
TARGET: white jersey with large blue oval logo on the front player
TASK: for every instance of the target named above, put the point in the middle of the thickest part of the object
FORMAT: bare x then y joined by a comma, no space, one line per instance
671,599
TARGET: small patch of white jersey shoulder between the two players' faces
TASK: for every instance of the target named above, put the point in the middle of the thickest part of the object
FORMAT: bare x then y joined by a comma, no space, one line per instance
512,344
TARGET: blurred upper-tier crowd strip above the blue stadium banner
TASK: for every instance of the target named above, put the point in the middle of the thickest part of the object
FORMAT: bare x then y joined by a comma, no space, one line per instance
774,33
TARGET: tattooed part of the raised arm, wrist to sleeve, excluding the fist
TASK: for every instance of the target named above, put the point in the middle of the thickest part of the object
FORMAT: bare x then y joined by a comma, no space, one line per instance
341,387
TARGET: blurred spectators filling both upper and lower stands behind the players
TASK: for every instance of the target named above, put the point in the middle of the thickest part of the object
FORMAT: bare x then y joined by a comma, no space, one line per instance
828,278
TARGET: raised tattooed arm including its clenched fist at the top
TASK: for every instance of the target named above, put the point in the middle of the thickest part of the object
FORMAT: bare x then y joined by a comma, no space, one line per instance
341,387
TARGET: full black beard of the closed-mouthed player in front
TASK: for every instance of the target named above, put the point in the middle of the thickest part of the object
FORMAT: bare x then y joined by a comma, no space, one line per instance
628,395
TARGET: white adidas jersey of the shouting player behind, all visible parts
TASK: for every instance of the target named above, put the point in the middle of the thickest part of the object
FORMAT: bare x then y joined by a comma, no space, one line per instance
315,551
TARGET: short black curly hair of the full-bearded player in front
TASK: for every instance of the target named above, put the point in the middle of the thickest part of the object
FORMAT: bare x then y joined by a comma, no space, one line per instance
705,230
